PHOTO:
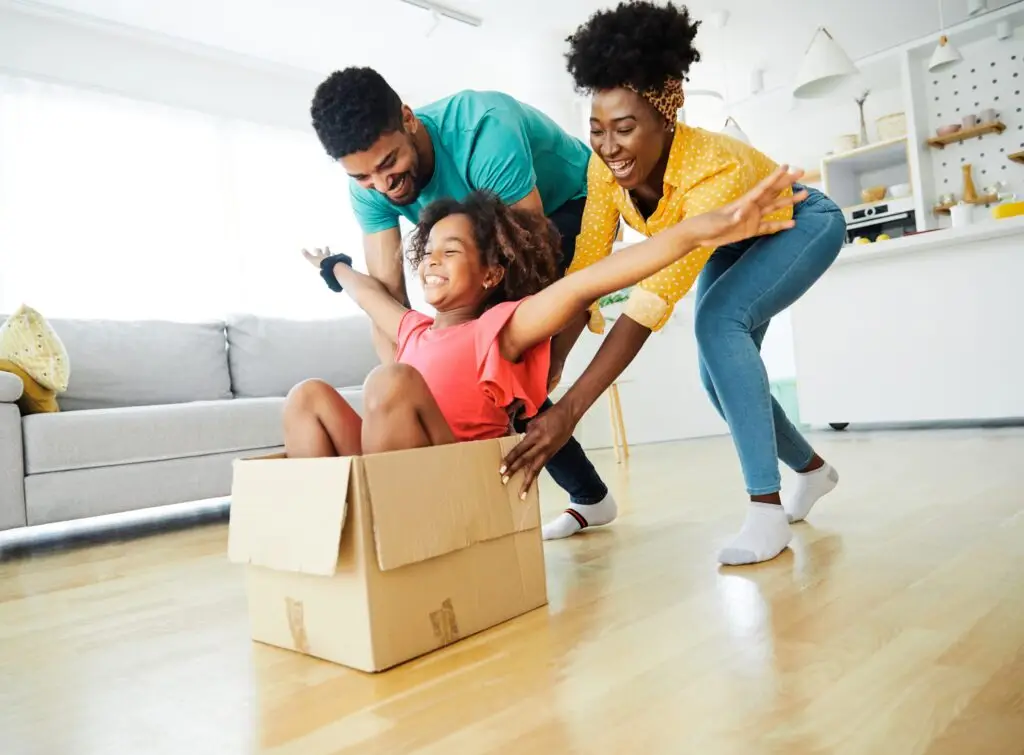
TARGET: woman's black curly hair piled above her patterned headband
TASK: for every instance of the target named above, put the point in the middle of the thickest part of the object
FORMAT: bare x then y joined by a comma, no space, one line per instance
641,45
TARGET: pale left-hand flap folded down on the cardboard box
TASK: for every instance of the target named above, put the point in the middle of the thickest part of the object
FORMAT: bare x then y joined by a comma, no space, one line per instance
288,514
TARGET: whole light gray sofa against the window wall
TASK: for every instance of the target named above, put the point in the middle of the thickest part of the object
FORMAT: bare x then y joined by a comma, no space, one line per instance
156,411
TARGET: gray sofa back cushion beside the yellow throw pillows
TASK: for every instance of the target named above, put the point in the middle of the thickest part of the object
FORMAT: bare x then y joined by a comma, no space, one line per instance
132,364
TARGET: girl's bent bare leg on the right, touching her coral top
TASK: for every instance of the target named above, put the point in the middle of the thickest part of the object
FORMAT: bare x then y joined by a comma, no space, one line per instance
401,412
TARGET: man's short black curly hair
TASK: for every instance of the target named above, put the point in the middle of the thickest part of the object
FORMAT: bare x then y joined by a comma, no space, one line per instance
353,109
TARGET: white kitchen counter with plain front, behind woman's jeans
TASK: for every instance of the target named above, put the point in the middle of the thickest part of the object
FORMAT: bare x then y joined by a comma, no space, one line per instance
919,330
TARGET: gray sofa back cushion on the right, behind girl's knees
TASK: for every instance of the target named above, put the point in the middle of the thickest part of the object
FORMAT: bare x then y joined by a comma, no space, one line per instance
269,357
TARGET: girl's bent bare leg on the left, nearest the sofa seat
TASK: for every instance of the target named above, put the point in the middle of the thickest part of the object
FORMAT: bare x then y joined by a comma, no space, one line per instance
319,423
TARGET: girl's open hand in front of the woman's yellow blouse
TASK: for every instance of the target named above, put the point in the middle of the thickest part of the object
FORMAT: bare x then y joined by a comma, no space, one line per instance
746,218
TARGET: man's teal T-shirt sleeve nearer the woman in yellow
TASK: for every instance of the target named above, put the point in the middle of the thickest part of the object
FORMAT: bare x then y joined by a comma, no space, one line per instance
502,161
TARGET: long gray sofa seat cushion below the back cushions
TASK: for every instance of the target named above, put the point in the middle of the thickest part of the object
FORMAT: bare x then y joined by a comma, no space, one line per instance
132,435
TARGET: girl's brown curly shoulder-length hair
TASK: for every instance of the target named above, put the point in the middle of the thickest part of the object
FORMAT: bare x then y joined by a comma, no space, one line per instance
526,244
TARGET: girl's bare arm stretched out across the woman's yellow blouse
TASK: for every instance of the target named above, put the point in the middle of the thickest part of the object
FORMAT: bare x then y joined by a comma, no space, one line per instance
547,313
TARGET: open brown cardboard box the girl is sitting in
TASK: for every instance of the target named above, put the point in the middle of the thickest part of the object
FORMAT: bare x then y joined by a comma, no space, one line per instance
372,561
